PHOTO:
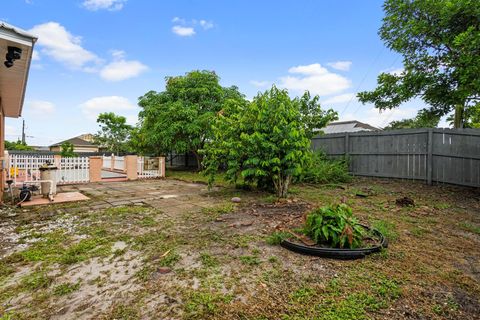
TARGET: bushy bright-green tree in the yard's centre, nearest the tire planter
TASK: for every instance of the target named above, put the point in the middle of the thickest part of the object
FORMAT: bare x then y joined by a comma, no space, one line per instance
265,142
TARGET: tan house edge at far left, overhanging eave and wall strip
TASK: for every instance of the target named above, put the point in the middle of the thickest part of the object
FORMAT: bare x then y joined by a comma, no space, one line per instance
16,48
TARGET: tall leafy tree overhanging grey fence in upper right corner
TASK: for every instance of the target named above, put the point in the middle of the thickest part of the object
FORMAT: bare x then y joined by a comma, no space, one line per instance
440,44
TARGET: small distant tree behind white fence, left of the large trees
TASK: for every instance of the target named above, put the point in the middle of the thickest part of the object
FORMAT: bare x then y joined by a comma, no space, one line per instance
114,132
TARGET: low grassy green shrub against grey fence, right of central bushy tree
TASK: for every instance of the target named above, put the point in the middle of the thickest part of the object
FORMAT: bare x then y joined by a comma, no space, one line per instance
320,169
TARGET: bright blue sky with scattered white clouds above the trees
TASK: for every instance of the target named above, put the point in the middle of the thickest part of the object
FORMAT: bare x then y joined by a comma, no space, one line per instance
101,55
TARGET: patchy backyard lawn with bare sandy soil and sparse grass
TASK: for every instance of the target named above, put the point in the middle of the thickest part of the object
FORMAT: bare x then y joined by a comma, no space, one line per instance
171,249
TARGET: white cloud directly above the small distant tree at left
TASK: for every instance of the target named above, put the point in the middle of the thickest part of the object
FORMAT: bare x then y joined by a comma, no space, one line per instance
93,107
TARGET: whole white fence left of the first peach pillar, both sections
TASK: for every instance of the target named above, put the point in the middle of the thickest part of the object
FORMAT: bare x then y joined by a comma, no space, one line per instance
22,168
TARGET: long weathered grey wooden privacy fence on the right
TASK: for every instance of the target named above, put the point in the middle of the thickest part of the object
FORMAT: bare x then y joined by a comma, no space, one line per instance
434,155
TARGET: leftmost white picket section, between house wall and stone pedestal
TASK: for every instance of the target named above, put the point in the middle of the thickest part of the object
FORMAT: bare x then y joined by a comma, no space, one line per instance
22,167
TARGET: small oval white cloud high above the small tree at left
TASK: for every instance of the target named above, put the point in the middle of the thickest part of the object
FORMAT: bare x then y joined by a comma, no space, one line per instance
121,69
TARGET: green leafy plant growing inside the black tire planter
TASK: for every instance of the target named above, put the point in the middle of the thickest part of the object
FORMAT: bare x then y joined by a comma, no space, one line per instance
334,226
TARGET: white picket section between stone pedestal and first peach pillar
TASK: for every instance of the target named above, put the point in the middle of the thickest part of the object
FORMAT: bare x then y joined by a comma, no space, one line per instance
73,170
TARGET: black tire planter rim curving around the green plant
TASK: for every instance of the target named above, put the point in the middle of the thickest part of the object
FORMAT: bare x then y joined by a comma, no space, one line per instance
336,253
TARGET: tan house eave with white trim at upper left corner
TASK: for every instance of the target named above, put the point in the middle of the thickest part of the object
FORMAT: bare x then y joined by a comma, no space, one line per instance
13,81
